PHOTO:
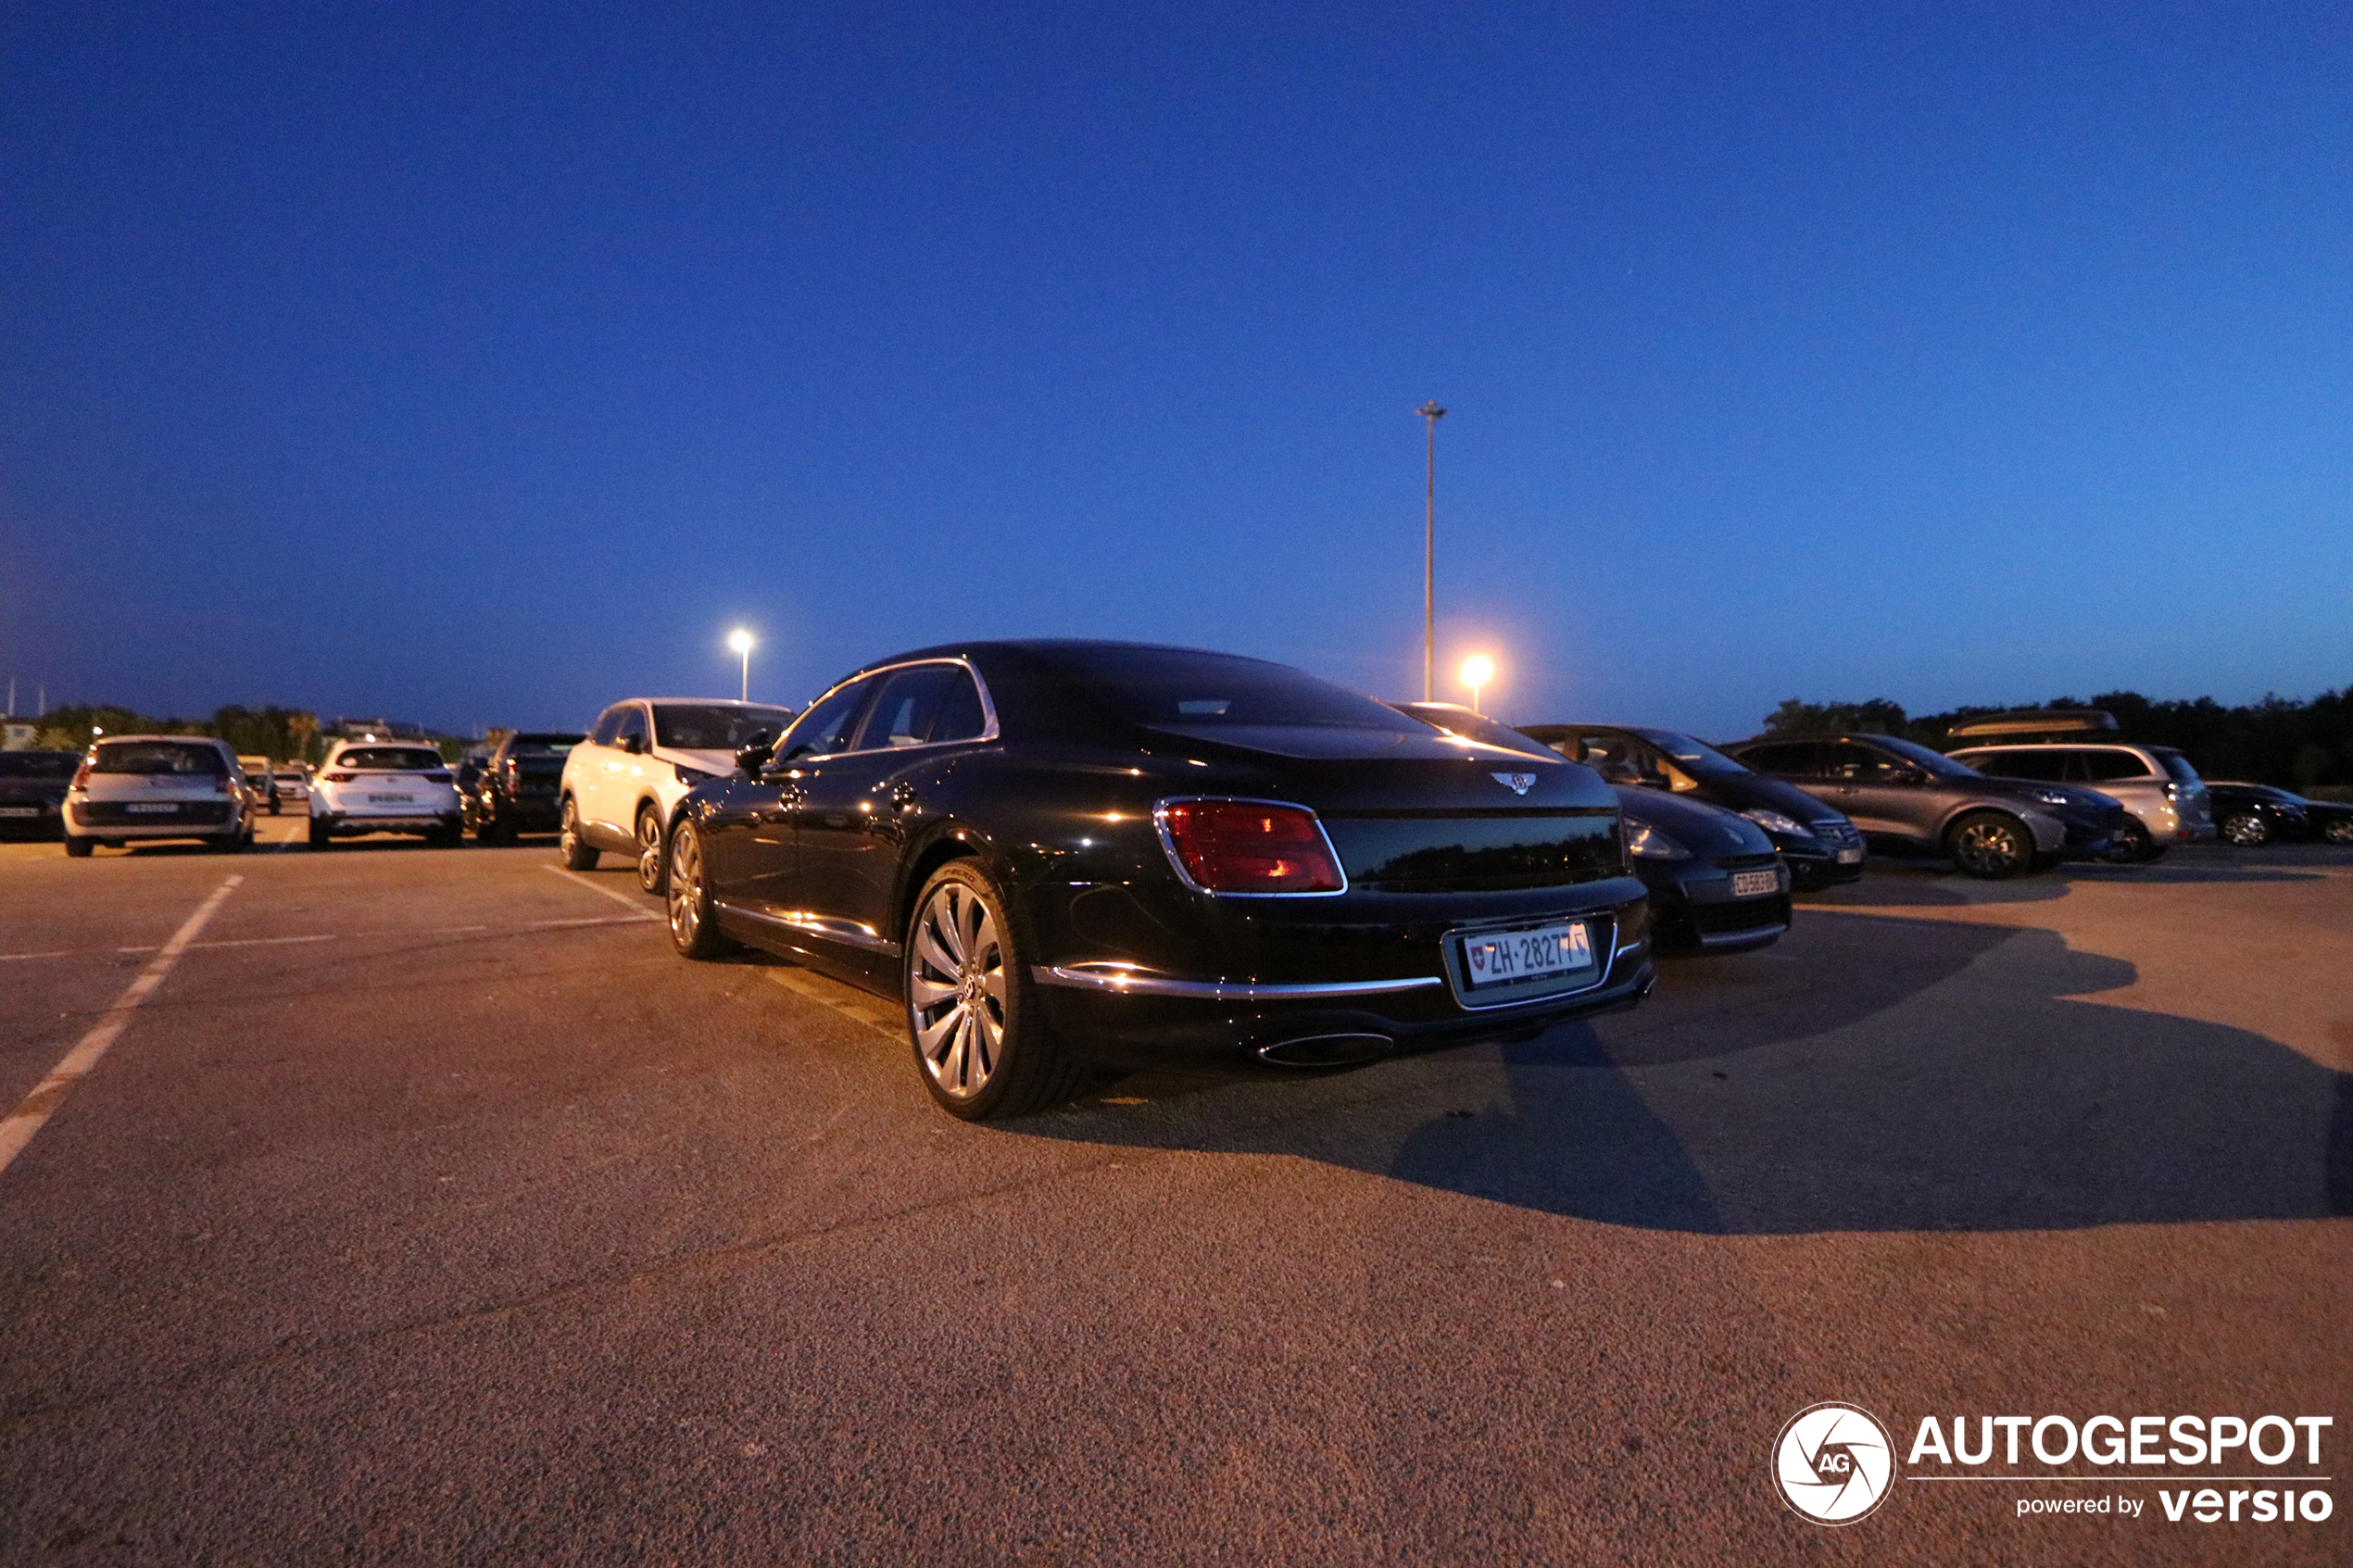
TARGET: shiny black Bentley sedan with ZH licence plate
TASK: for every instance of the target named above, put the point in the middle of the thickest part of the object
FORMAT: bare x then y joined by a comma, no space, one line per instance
1074,855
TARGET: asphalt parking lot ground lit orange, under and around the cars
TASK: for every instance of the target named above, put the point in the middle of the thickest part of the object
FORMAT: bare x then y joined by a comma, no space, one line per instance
429,1209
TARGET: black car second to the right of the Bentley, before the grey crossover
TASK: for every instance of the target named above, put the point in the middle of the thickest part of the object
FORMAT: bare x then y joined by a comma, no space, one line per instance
1820,845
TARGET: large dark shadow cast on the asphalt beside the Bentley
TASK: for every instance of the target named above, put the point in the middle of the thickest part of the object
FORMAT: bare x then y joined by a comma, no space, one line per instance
1884,1076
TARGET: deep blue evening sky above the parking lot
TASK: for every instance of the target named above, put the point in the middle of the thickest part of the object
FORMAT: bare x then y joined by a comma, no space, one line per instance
484,363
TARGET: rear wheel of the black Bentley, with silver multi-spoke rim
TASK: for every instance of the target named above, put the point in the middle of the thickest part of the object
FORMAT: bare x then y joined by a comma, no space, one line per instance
973,1019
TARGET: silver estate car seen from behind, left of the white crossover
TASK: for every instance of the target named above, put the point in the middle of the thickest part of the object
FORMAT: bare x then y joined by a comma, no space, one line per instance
159,789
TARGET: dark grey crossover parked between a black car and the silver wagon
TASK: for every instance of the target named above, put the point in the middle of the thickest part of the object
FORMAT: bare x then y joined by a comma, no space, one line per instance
1909,798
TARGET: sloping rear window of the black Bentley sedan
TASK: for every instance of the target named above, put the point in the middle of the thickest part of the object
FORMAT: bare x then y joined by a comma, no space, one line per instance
1185,690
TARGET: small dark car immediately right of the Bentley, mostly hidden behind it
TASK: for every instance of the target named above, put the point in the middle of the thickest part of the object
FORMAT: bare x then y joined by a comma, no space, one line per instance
1714,878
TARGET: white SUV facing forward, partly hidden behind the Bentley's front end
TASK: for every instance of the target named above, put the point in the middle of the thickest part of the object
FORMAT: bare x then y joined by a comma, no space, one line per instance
639,763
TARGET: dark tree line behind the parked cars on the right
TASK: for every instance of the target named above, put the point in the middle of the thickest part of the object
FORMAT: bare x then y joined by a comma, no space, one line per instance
2298,746
